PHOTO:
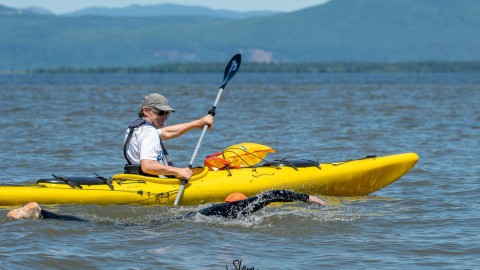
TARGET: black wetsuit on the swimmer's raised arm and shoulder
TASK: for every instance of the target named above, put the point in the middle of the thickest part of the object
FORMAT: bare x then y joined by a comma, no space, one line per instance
250,205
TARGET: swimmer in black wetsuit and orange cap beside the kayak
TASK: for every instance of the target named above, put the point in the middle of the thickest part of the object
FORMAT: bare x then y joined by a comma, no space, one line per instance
236,205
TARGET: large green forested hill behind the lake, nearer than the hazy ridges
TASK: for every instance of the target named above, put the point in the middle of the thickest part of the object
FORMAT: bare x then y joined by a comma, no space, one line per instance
340,30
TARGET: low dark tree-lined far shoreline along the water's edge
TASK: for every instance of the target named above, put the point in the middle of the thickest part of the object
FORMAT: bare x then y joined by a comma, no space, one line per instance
327,67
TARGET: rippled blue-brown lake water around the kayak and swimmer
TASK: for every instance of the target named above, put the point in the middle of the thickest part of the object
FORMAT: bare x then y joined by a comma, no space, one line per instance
74,125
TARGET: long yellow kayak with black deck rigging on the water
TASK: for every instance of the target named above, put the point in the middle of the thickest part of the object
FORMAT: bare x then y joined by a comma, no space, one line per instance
347,178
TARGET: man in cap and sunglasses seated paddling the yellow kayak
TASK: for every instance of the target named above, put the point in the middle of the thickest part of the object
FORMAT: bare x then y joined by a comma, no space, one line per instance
143,146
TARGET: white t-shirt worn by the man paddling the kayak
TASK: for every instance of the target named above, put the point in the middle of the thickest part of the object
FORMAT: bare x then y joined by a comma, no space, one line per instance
145,144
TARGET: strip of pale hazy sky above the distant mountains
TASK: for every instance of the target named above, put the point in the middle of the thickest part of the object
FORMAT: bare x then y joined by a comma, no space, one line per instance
64,6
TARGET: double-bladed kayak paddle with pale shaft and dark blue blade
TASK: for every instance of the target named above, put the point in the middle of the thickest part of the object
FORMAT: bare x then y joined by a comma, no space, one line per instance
230,70
